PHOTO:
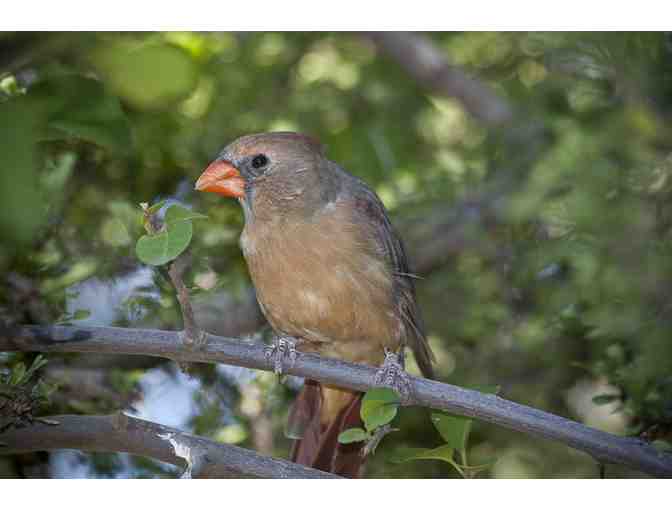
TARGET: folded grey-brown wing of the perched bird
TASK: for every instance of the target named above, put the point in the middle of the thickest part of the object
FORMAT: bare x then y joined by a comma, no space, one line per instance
371,210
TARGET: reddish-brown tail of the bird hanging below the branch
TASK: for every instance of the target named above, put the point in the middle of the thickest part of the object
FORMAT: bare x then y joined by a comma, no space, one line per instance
320,413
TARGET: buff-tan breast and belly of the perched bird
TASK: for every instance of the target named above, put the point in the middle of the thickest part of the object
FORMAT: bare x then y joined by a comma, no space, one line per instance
341,303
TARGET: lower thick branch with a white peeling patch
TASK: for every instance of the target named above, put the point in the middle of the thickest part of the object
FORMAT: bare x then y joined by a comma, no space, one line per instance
201,457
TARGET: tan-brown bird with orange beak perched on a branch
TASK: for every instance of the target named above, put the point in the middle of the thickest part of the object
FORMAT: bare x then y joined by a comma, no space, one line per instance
330,273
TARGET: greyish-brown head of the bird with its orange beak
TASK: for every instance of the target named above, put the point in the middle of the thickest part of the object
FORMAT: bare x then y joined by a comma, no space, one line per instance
271,173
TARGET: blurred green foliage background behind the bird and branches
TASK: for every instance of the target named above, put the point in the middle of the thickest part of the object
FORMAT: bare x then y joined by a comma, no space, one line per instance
562,297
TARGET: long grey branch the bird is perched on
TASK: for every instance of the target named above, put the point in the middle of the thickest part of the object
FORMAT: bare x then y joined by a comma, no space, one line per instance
604,447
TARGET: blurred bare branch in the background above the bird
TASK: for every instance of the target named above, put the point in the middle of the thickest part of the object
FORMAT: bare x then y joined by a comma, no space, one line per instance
430,67
